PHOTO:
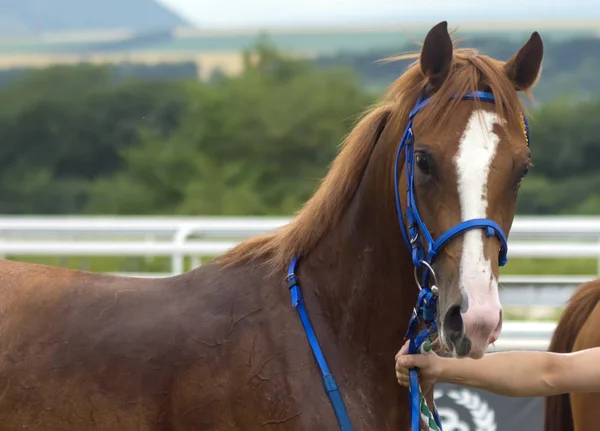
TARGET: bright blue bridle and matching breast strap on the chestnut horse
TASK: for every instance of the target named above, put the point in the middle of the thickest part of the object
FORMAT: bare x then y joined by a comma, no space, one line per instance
426,307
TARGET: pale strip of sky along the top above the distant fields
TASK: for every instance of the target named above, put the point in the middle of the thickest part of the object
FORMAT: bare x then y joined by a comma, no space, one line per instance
256,13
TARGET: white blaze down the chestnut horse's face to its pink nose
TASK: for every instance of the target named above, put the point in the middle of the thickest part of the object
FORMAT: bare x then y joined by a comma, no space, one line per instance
473,161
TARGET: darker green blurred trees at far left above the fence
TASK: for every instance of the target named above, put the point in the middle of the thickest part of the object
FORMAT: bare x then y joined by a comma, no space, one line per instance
64,127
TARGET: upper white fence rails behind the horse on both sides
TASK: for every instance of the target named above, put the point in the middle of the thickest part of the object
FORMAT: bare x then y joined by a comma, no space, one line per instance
198,237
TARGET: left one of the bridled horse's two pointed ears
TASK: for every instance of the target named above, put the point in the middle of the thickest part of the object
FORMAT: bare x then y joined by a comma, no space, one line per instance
436,55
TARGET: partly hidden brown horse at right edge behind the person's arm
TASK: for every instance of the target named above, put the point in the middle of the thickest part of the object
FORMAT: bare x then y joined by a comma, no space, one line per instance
577,330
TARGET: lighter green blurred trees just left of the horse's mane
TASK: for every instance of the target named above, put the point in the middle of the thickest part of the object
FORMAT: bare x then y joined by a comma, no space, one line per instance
256,143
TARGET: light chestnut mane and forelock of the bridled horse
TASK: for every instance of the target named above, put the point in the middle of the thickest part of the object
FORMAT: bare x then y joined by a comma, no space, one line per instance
470,72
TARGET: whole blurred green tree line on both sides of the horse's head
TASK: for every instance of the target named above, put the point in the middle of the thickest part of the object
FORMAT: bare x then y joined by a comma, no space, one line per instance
82,139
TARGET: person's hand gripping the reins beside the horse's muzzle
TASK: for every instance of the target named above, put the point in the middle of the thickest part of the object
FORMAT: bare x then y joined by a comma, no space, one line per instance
429,365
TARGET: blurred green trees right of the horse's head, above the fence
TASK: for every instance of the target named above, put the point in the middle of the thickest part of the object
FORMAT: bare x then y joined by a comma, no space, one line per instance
566,148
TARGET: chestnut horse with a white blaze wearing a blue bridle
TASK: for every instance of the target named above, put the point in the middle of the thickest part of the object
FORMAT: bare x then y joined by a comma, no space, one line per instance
222,348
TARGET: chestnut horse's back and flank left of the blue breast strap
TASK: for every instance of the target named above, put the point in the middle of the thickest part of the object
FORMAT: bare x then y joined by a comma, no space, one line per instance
208,350
